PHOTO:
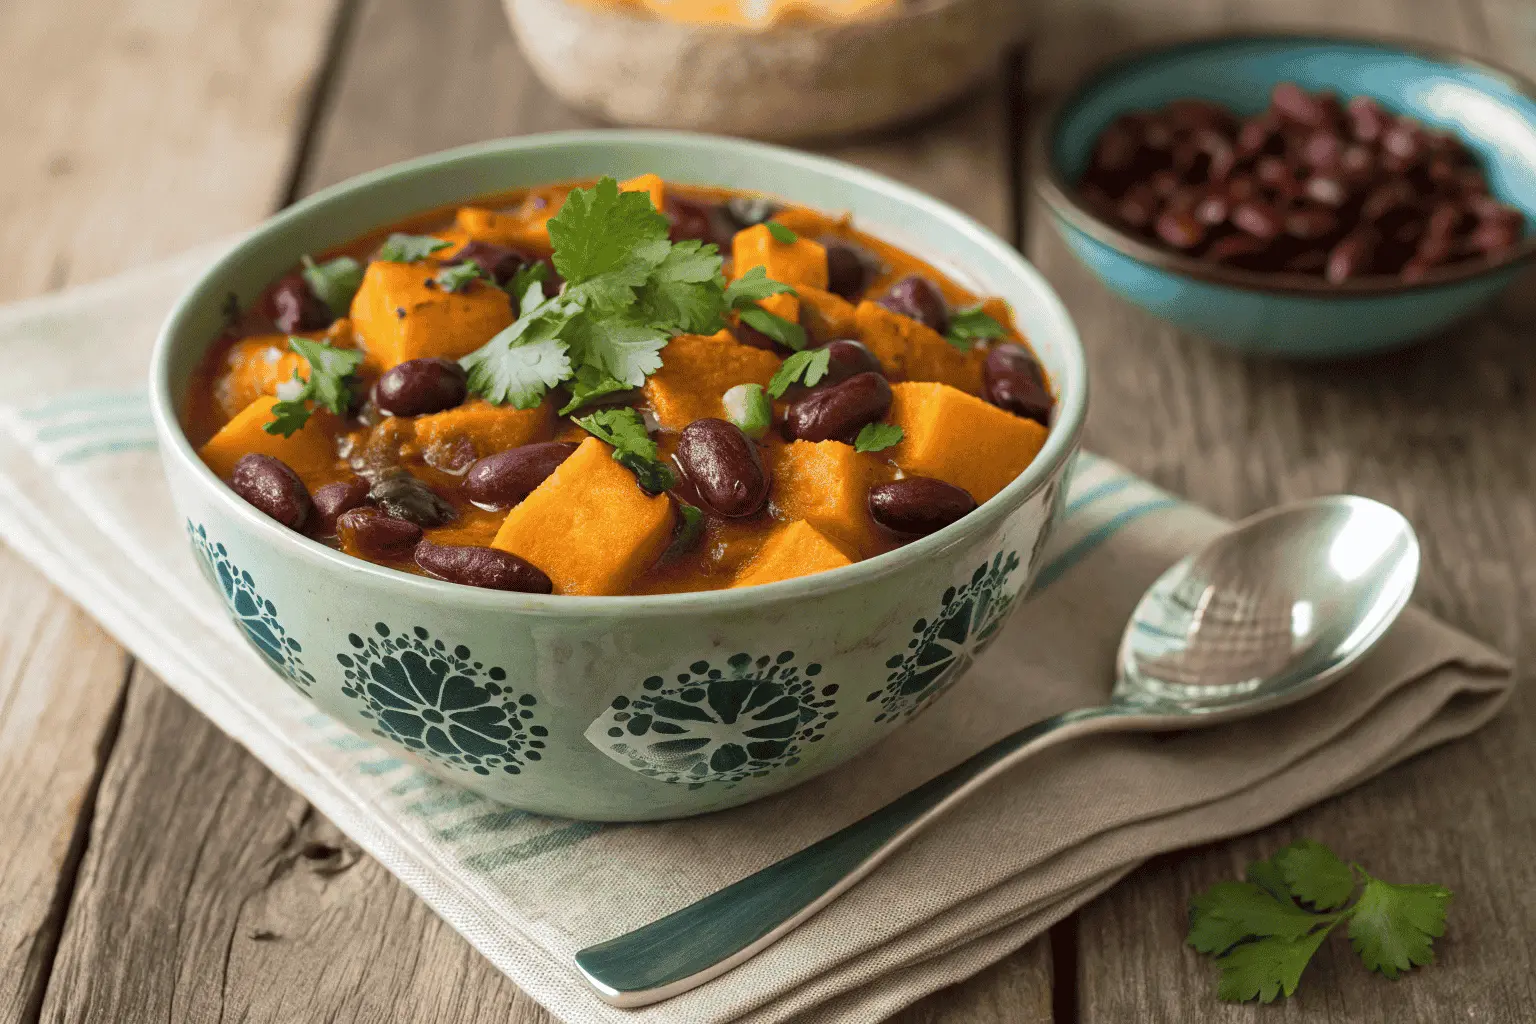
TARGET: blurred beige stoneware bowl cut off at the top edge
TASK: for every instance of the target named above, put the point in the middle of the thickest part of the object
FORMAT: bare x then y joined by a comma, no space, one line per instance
786,82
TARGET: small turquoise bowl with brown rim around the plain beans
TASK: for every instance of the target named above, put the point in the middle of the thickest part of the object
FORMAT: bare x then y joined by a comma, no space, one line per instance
1491,110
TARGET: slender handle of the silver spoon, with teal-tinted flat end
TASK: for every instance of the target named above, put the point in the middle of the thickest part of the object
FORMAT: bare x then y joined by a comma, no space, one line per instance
729,928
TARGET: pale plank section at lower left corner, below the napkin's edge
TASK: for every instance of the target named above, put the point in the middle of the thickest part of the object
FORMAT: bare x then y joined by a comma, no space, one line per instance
61,678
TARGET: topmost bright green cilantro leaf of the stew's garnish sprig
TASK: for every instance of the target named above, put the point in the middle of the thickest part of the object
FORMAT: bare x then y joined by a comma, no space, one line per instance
604,231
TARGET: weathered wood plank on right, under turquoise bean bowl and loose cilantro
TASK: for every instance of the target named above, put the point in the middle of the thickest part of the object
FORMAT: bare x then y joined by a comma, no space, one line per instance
1443,434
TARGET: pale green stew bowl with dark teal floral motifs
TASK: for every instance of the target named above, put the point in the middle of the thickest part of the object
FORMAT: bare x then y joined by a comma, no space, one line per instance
621,709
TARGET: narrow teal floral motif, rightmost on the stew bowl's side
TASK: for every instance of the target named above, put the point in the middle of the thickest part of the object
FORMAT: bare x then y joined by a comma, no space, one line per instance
945,646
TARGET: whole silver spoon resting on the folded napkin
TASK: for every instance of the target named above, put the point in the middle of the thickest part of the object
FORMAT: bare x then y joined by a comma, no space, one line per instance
1262,616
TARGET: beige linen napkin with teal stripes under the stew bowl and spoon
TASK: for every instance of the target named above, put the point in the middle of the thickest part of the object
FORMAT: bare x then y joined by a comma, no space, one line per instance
82,497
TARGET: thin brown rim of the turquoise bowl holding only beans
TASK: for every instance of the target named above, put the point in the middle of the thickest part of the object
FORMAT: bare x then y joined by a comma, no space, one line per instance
1061,197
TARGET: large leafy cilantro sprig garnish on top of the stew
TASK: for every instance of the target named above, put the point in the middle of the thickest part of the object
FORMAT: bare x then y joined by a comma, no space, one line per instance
627,292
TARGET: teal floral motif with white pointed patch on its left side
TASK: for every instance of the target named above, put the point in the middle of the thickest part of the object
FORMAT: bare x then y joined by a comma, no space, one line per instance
718,725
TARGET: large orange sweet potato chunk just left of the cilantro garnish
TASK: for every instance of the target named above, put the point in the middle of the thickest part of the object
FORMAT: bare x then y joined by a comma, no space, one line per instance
402,319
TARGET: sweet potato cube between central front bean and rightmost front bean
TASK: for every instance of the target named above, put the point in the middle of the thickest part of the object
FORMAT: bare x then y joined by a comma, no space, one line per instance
827,484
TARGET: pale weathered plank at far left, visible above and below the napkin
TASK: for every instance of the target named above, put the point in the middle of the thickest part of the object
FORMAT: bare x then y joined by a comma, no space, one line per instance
130,131
